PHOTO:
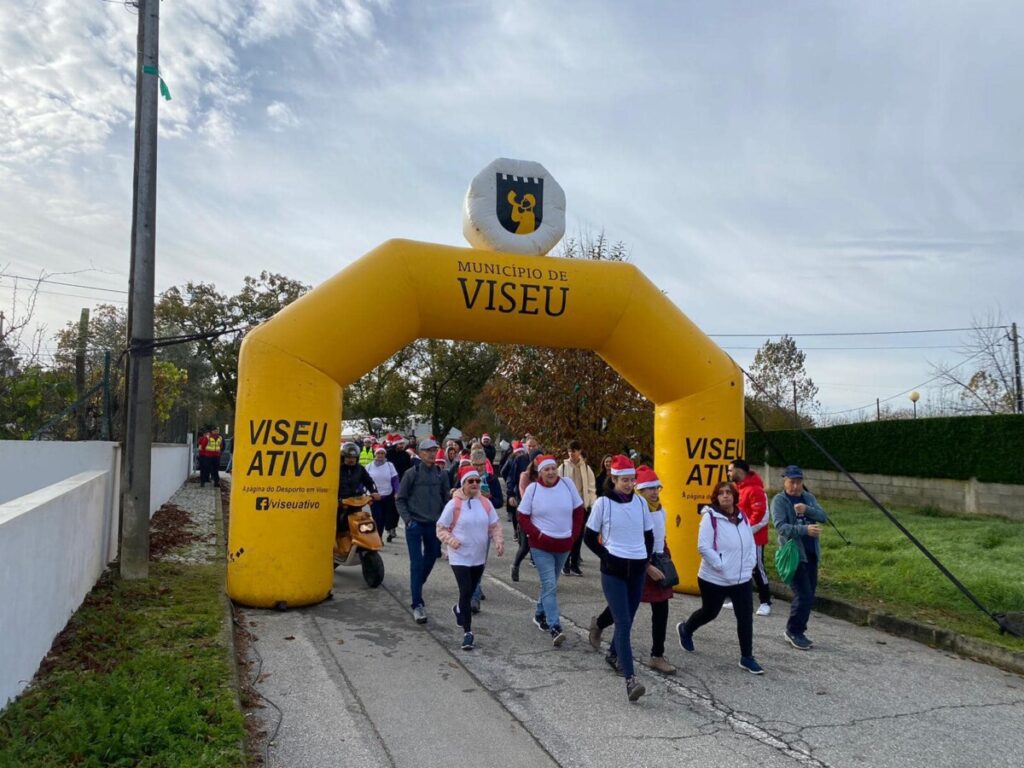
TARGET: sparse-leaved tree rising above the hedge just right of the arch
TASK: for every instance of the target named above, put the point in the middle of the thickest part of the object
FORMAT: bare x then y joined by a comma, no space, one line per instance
781,390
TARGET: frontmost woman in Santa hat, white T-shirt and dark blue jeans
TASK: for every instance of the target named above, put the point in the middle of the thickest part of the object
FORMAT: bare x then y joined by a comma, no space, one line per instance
621,533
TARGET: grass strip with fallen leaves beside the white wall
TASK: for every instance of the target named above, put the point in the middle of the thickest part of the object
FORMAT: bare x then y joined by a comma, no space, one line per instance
141,677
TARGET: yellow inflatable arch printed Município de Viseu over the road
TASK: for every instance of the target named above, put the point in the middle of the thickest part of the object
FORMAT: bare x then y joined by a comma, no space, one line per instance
293,369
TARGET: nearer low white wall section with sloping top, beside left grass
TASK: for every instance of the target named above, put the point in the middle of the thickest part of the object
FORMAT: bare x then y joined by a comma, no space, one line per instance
53,550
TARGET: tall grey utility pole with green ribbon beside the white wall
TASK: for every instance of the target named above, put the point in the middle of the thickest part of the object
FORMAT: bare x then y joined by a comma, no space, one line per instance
139,432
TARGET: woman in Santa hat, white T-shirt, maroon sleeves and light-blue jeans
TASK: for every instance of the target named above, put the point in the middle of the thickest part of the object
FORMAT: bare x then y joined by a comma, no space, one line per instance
551,515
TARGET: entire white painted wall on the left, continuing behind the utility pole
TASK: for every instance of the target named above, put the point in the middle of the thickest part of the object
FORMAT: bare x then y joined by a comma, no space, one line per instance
59,530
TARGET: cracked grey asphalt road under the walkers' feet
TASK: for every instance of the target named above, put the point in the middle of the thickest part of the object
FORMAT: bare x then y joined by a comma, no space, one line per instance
359,684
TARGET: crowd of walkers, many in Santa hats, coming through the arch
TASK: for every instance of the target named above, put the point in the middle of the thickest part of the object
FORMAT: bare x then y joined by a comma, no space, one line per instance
452,496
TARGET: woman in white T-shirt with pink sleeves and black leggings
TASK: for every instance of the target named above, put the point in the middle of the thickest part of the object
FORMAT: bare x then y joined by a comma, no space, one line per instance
466,525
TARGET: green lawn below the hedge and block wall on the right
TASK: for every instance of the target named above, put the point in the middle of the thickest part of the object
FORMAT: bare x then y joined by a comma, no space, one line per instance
883,571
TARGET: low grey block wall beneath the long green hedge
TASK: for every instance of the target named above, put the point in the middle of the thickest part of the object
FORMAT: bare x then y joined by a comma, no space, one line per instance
953,496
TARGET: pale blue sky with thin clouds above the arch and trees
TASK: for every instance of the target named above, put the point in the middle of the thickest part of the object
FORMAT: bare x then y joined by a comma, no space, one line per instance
789,167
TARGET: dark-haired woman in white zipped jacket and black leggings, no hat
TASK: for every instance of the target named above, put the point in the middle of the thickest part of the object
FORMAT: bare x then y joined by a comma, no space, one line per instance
728,559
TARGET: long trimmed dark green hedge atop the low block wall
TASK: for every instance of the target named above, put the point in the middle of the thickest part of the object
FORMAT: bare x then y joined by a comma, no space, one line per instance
990,448
